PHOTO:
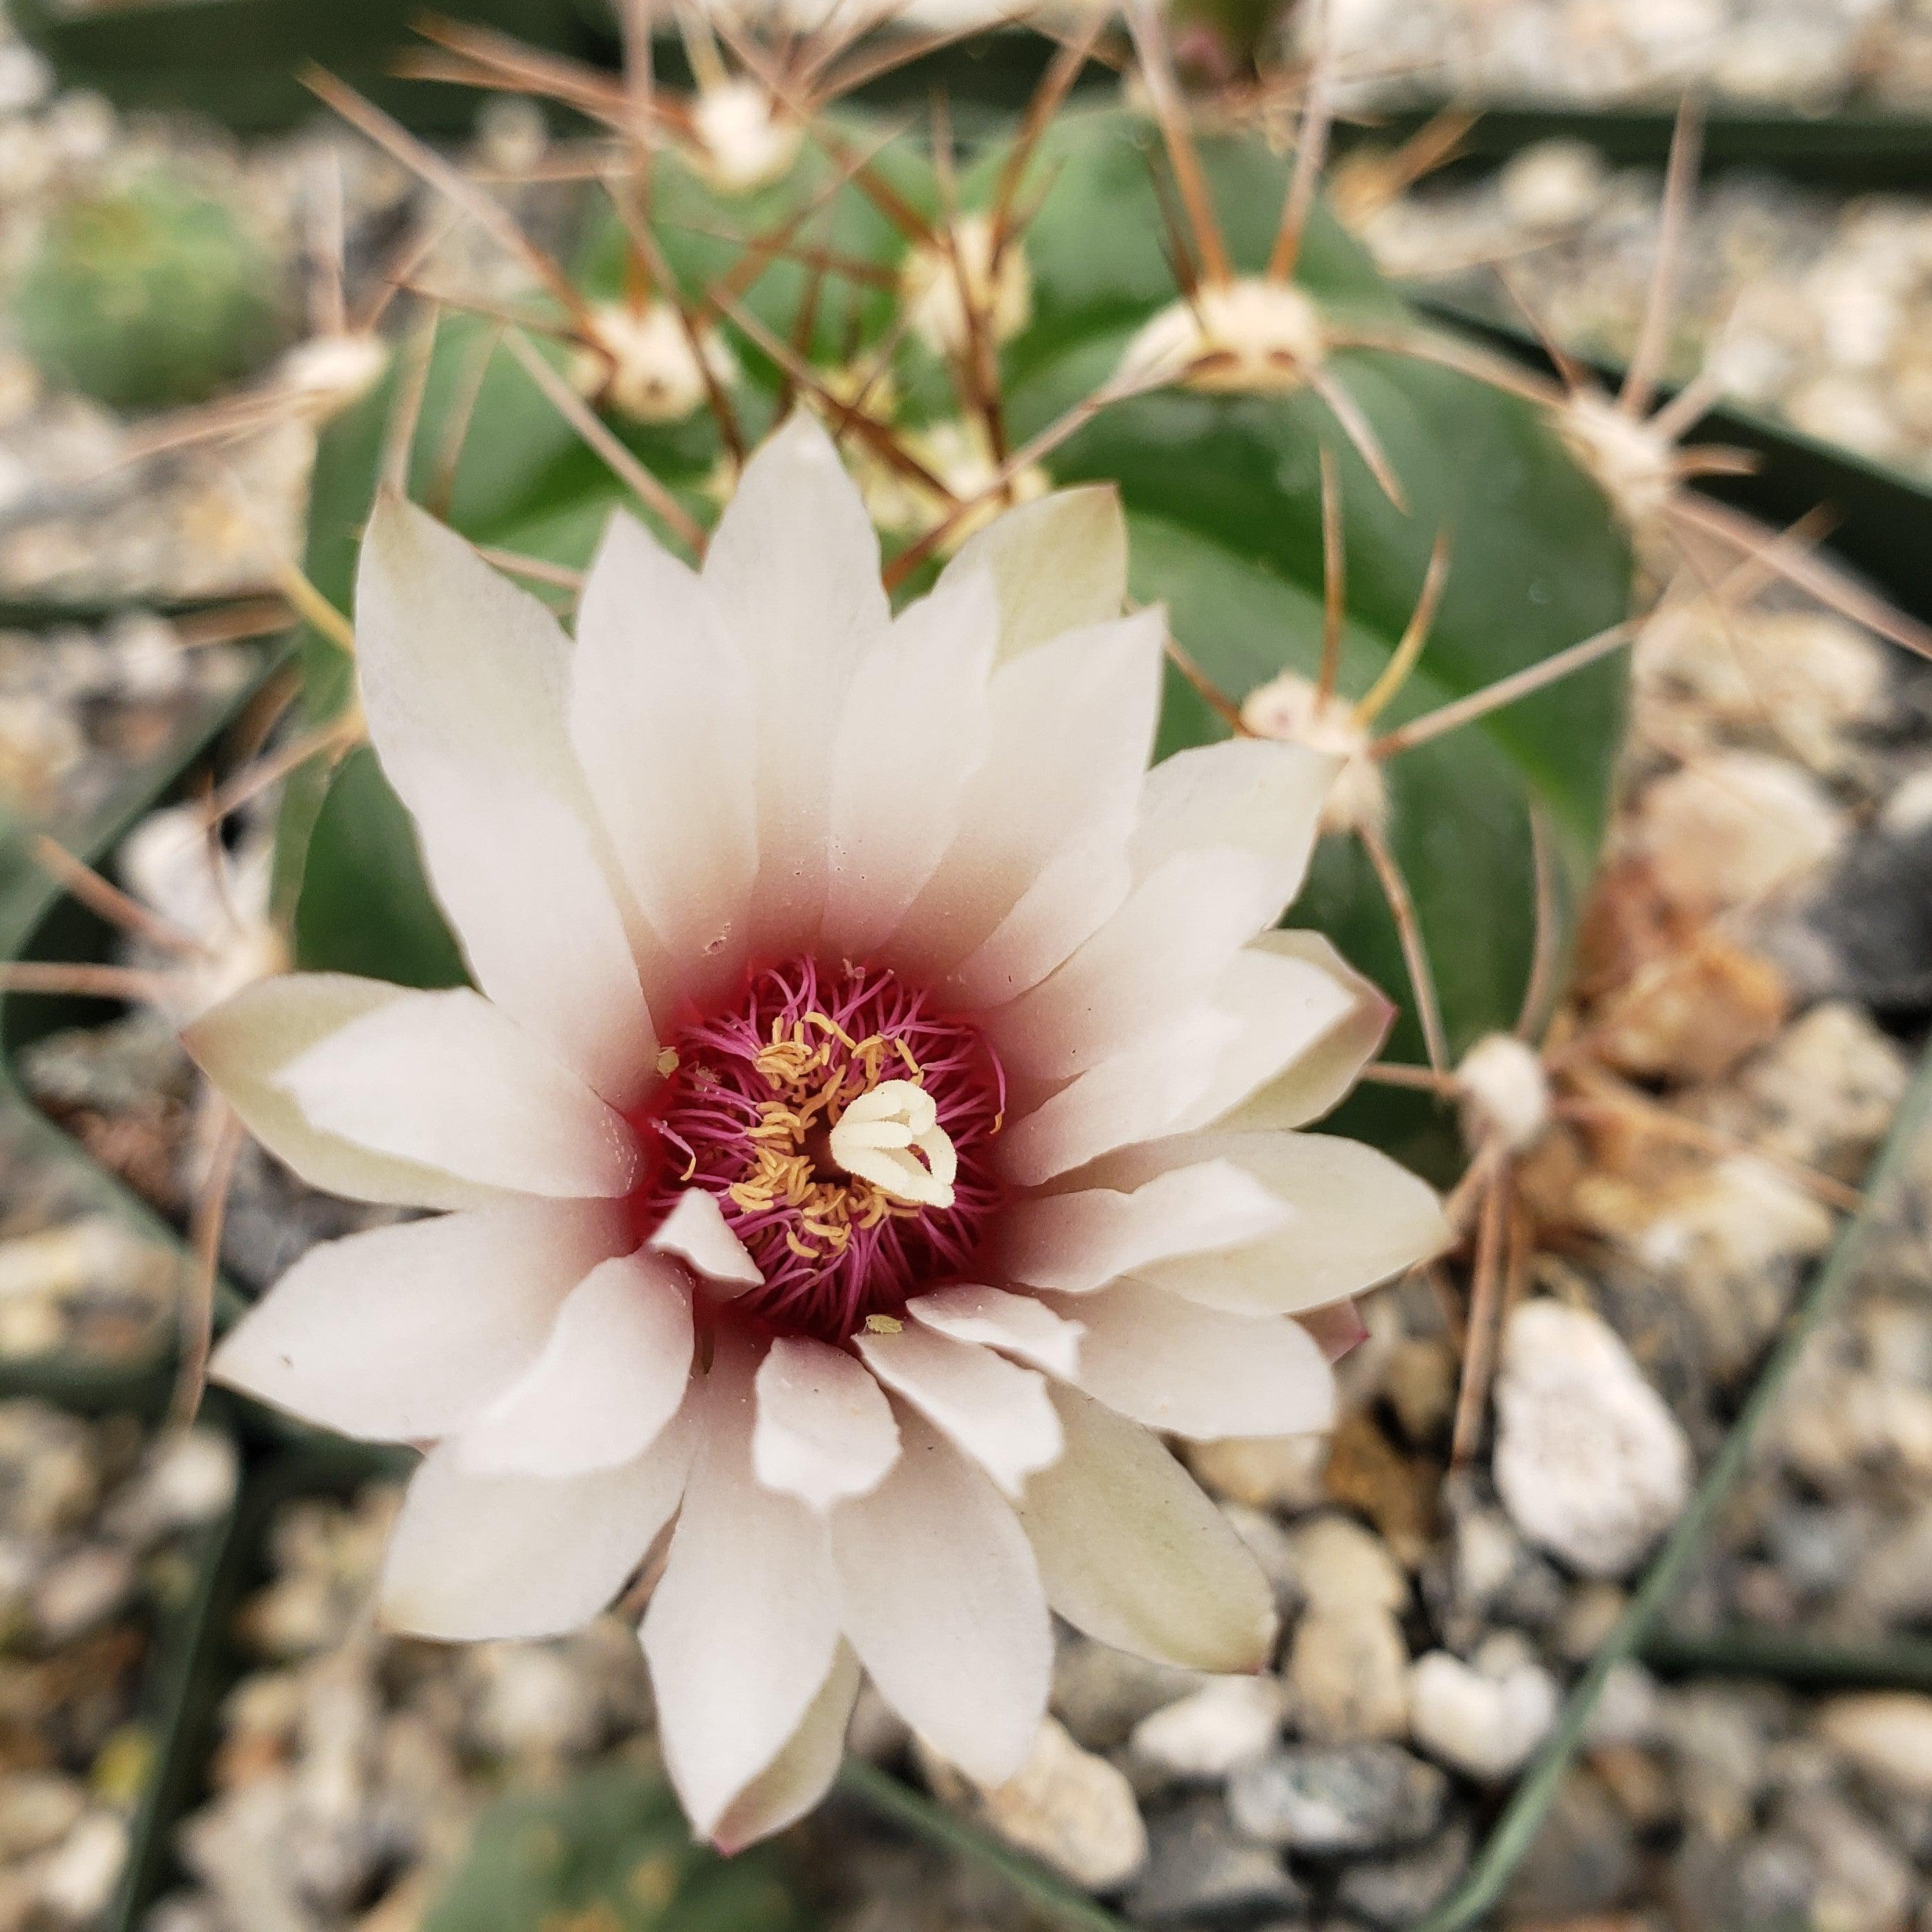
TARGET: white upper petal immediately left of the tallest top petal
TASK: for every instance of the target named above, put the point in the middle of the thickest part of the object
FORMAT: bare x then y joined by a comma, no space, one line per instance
664,716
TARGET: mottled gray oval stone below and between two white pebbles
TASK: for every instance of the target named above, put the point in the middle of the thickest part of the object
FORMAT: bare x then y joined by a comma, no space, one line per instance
1340,1800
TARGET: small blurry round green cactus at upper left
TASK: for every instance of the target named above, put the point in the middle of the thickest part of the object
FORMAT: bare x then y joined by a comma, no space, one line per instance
148,295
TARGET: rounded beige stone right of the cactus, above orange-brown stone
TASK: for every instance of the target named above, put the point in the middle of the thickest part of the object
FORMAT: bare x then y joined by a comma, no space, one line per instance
1736,830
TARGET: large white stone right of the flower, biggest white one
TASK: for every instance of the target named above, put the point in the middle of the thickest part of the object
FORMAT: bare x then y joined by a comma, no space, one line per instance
1589,1462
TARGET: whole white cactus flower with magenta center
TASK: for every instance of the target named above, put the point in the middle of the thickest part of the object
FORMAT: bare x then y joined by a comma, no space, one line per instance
874,1127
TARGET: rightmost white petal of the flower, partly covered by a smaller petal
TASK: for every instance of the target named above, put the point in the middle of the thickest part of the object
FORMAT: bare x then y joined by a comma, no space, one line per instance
1355,1220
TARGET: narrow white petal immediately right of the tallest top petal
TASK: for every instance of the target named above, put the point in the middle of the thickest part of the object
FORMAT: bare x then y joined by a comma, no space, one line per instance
915,731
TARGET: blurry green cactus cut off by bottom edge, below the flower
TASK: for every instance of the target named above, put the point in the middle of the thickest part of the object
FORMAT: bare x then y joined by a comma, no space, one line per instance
606,1852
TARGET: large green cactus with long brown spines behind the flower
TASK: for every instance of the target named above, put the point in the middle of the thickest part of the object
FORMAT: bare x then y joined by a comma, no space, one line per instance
1272,430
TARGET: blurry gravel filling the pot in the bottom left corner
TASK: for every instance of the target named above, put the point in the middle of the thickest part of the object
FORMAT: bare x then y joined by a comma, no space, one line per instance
98,1548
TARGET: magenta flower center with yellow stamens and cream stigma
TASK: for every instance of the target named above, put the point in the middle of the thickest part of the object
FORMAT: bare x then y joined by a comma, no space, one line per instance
843,1127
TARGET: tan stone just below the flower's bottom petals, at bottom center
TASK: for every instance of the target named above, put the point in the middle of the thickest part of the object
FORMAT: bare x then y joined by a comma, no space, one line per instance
1065,1805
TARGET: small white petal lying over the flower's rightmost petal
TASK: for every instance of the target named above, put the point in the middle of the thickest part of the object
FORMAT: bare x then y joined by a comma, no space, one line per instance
1089,1237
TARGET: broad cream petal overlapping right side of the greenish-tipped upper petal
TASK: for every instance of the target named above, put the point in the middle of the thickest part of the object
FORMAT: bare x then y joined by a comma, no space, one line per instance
1073,725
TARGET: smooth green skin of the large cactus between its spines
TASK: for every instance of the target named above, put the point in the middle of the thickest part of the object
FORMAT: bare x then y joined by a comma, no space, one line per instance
1224,501
